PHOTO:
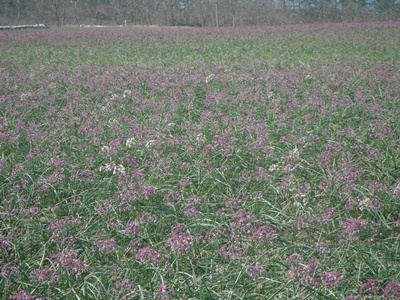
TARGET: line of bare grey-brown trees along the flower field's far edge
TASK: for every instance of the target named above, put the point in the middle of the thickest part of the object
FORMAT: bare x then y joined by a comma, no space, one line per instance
201,13
